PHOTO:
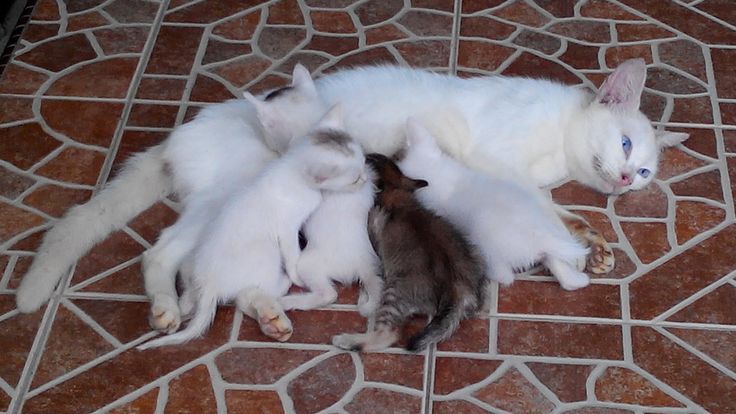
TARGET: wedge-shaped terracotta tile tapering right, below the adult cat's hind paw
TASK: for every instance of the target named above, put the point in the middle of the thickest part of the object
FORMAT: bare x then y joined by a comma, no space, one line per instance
260,366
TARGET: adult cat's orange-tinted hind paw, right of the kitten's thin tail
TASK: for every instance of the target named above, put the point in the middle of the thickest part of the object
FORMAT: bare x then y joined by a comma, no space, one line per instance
267,311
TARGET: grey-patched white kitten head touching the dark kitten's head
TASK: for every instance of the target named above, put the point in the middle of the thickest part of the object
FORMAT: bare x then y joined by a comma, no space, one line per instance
333,160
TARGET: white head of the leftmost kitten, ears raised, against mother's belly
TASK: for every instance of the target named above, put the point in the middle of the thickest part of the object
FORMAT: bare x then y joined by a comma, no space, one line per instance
290,111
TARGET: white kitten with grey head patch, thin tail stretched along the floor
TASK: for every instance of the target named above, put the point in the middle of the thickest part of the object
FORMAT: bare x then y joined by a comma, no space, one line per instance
254,236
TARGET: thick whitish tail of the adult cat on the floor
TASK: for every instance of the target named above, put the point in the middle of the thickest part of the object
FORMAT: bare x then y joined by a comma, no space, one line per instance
141,183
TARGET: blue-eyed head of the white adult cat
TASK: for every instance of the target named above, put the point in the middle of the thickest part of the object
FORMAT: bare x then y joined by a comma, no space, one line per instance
614,147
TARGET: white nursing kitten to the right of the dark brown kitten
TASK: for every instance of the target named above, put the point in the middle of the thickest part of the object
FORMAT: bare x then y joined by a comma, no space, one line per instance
512,226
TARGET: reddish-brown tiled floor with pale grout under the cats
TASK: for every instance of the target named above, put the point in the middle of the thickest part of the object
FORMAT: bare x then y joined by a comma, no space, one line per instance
94,80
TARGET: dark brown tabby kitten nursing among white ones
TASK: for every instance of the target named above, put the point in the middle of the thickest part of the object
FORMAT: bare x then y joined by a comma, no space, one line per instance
428,267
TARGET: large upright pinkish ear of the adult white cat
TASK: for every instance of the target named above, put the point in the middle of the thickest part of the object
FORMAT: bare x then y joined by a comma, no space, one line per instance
622,89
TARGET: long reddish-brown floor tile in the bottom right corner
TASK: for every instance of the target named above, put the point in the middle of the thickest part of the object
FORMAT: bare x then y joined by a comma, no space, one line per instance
682,370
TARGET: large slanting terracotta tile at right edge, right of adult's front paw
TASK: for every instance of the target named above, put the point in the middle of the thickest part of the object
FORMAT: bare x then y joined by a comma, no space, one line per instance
682,276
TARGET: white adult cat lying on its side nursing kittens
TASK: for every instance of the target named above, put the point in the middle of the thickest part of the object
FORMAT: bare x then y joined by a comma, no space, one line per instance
540,129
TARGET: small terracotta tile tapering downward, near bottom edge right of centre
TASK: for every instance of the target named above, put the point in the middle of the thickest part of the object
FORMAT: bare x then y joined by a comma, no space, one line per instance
565,380
